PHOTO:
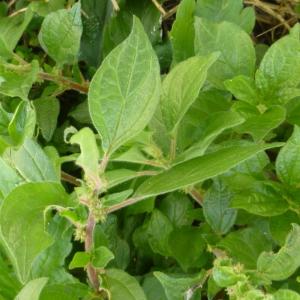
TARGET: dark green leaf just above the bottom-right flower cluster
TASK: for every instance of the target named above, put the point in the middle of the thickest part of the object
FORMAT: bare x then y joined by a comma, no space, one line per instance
246,245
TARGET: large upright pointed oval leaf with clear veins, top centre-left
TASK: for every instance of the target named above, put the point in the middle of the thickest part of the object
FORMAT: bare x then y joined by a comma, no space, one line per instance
125,90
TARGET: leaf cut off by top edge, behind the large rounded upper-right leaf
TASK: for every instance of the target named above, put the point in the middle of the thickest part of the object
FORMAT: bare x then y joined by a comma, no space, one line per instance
227,10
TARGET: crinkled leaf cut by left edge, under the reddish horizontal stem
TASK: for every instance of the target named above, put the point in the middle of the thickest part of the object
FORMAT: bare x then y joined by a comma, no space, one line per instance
17,80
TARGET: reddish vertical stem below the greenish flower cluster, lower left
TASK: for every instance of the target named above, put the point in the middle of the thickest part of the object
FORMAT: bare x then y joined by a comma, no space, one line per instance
91,271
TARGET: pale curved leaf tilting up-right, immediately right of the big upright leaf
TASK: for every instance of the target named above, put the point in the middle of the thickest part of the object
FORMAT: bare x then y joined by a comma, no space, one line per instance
181,88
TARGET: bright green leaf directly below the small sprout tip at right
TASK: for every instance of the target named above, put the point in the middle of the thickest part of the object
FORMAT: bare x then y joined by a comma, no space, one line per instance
257,124
